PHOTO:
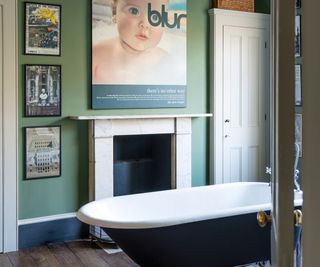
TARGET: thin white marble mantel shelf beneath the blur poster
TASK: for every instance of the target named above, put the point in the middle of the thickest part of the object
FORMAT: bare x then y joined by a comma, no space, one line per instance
126,117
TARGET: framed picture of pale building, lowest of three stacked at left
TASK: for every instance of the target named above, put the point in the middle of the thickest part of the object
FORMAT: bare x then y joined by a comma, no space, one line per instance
42,152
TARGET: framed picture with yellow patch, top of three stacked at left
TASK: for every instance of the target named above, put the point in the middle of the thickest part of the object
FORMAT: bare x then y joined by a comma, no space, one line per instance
42,29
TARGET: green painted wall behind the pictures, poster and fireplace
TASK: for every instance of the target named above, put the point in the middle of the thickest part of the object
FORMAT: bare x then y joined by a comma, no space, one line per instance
67,193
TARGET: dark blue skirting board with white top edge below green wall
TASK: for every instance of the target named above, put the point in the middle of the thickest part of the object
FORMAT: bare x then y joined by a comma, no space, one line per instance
44,230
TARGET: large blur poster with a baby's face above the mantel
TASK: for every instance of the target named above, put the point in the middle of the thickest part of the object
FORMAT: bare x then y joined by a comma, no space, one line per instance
139,54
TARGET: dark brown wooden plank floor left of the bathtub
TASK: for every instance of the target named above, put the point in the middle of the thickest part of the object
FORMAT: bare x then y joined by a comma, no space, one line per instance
82,253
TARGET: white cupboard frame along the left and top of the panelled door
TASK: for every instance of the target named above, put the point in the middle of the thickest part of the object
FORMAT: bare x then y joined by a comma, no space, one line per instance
219,18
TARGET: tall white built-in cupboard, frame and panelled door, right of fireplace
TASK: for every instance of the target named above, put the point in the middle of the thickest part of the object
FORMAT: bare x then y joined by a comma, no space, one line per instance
239,88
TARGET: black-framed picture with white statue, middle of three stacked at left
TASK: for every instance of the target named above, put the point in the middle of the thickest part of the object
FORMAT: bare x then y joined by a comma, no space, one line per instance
42,90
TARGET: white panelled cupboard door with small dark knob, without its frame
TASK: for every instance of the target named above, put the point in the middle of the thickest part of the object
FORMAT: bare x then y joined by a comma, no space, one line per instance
245,91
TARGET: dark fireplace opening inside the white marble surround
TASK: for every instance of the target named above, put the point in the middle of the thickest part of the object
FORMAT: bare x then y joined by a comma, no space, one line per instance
142,163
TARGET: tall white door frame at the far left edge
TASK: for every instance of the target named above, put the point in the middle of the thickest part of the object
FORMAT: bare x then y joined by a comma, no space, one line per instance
8,117
